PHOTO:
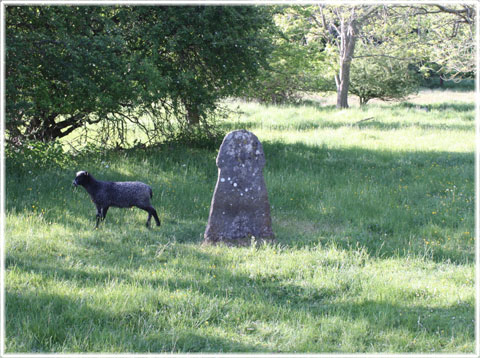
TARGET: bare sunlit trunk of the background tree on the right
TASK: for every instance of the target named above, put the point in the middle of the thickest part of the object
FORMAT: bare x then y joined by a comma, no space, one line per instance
348,32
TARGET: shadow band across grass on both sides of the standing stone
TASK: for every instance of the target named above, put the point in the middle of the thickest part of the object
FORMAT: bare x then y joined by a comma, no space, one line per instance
391,203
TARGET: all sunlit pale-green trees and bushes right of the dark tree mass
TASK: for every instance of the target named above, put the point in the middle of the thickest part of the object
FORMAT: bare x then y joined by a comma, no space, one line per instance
367,50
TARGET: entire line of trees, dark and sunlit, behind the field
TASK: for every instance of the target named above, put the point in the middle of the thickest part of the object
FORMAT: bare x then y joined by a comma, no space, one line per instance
163,69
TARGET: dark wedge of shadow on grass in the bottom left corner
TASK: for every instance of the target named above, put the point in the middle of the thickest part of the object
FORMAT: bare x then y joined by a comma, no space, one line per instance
58,323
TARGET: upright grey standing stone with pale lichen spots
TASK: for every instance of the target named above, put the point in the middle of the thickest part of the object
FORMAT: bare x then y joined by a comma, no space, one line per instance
240,210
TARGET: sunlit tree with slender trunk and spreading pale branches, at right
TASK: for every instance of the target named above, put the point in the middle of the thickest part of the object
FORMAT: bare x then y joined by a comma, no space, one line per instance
413,34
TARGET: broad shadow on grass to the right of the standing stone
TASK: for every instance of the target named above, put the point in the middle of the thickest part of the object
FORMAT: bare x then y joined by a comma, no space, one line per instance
389,202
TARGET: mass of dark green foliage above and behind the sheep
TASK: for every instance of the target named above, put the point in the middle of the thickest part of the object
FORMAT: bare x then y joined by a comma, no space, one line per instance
68,66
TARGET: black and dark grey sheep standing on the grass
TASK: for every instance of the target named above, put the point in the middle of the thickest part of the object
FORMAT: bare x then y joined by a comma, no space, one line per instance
118,194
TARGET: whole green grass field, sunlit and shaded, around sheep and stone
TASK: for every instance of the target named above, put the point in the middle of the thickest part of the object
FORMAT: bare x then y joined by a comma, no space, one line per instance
375,242
